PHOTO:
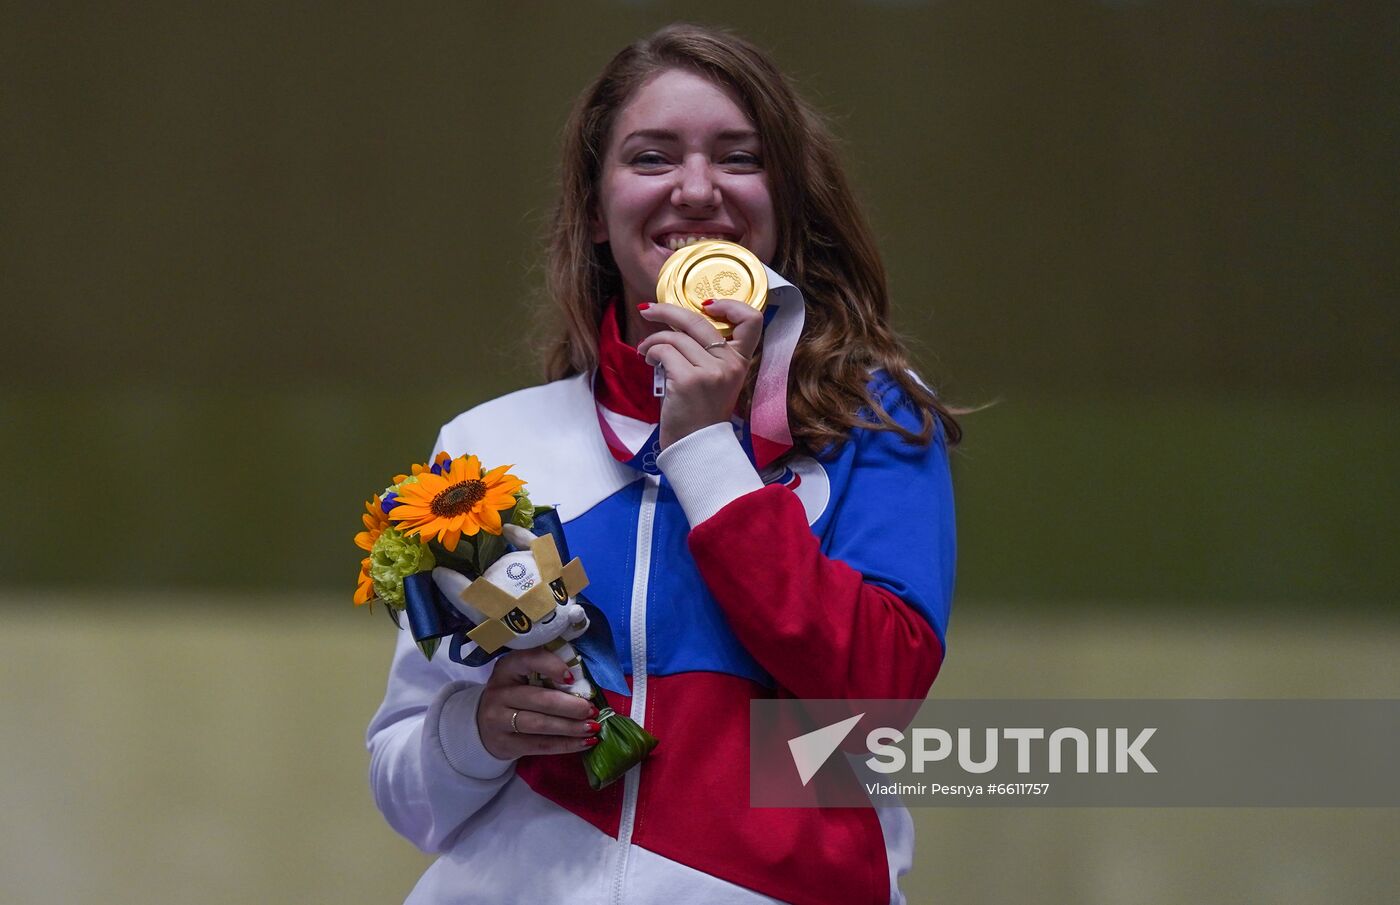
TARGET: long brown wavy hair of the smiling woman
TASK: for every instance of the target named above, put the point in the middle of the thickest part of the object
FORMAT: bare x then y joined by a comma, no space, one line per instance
824,244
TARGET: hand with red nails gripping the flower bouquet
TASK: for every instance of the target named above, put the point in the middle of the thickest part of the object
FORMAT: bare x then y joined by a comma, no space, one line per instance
547,721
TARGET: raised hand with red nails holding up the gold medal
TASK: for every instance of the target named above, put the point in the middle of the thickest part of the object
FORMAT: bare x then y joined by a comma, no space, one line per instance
705,375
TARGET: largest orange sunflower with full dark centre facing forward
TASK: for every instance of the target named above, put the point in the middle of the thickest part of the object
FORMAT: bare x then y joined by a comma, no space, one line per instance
464,499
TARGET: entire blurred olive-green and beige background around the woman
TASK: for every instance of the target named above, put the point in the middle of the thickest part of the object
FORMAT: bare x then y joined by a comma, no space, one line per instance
254,256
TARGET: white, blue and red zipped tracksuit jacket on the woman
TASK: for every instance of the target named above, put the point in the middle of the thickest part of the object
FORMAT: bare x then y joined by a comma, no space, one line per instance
829,578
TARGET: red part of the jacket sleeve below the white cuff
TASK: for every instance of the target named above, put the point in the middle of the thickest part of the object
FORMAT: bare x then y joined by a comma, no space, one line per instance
817,627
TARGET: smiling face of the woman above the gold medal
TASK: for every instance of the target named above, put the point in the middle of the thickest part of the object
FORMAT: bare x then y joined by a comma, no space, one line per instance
684,162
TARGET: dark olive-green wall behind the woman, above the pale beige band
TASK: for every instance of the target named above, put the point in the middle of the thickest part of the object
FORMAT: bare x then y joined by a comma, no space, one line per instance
253,256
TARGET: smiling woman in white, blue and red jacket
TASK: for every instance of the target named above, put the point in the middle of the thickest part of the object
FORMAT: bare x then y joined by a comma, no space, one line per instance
730,571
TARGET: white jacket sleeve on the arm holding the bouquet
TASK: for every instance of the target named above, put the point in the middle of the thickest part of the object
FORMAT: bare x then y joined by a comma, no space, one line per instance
428,767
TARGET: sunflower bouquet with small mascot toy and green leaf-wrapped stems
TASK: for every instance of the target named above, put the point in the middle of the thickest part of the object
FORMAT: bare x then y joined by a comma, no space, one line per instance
464,554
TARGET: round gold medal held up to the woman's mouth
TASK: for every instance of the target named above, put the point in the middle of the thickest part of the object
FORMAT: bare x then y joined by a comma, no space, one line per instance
713,270
